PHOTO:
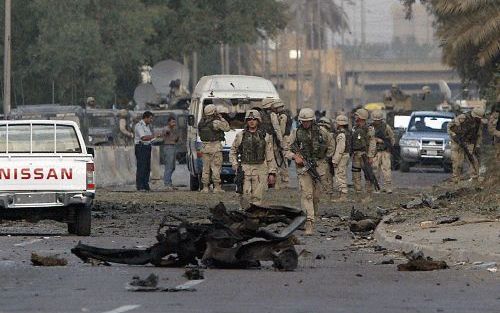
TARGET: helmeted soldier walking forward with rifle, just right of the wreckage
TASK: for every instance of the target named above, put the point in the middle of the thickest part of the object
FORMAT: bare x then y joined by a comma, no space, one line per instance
315,145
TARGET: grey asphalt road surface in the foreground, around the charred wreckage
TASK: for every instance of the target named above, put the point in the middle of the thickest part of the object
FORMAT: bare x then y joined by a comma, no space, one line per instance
348,279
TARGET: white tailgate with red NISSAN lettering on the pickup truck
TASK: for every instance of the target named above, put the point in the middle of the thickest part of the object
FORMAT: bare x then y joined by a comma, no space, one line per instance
56,173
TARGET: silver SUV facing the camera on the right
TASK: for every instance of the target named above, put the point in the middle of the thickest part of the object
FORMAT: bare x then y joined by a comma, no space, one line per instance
426,140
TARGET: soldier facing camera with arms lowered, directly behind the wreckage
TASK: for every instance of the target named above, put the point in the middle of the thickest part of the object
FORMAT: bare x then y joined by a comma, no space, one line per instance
254,147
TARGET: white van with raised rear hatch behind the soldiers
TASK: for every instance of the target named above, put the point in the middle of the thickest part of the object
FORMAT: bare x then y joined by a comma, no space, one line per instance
237,93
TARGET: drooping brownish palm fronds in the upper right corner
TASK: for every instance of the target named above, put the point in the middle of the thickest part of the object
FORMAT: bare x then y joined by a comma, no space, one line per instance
469,31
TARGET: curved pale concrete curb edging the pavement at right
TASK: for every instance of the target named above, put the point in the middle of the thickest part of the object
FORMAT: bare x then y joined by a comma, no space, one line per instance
387,239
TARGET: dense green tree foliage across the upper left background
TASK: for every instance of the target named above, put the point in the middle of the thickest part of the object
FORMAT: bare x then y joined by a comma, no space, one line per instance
95,47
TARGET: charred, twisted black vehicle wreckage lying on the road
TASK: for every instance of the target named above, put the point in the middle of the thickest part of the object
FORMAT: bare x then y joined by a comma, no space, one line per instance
231,239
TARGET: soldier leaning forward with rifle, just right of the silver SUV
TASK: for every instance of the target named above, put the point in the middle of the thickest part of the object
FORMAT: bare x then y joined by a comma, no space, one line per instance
466,129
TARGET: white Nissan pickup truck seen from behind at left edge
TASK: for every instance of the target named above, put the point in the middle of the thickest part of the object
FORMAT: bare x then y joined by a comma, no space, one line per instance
46,172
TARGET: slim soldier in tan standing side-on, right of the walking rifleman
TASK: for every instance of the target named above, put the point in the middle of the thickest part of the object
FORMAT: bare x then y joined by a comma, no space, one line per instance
341,156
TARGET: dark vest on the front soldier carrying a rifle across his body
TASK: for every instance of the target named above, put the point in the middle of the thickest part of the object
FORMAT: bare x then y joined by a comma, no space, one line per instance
310,143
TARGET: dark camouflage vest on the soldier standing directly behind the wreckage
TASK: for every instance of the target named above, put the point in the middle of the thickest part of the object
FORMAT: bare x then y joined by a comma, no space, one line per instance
253,147
